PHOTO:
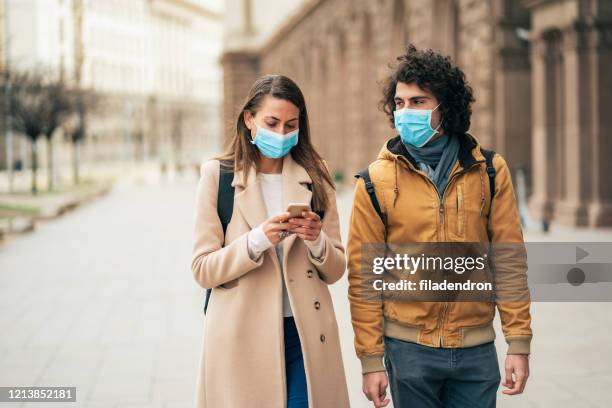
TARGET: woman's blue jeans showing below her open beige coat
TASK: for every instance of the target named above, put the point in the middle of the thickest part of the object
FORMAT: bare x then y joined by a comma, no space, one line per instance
297,394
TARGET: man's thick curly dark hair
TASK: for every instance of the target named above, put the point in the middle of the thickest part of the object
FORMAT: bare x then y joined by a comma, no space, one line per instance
436,73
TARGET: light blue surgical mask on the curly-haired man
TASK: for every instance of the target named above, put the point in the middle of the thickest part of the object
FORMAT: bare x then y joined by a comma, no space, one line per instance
414,125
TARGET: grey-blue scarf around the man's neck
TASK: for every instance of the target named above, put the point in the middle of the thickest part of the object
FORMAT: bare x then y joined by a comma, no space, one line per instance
437,159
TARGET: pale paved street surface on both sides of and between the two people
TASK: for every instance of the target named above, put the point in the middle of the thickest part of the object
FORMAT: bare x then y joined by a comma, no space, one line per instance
103,299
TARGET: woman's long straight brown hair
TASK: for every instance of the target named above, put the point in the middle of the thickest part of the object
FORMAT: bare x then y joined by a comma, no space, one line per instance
243,155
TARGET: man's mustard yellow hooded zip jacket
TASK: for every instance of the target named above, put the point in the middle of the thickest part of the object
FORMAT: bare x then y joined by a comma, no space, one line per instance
415,214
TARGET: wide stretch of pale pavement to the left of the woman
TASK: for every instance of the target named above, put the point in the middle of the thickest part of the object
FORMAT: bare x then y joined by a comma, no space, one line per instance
103,299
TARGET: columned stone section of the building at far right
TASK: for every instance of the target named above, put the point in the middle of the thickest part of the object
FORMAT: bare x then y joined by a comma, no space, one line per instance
571,71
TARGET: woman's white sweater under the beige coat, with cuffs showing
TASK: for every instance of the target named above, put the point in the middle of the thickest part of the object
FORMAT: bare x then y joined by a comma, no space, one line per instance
258,242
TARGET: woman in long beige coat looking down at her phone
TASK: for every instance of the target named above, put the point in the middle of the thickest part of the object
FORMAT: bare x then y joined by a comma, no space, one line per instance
270,337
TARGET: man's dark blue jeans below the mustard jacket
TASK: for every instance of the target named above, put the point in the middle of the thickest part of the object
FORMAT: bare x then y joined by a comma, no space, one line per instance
431,377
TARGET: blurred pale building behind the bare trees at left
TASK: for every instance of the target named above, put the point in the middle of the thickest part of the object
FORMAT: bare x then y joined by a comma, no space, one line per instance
155,62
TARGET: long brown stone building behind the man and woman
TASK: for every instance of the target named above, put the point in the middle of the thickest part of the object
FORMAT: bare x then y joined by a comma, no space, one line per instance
540,70
